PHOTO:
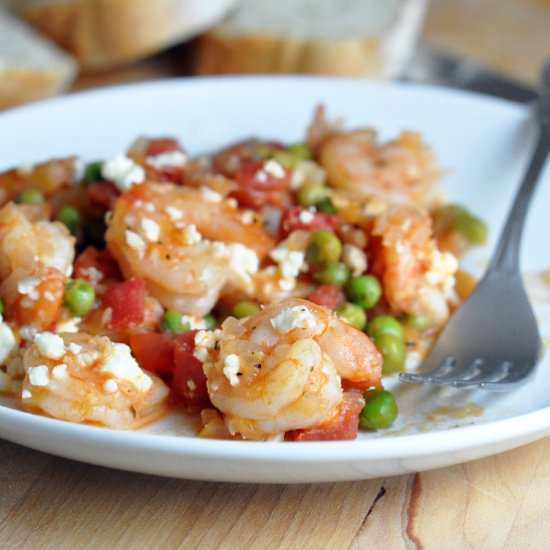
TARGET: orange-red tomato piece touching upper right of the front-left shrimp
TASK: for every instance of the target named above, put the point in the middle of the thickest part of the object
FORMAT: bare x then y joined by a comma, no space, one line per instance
154,351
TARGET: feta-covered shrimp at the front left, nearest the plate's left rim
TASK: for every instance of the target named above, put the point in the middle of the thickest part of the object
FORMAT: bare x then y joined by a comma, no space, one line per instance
89,379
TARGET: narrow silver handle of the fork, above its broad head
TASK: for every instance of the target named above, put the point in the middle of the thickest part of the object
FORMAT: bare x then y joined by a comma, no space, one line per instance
506,256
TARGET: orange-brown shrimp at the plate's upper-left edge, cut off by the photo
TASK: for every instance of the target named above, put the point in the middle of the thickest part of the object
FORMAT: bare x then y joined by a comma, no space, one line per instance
47,177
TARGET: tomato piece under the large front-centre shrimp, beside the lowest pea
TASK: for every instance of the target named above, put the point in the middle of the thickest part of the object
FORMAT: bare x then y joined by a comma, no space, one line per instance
344,424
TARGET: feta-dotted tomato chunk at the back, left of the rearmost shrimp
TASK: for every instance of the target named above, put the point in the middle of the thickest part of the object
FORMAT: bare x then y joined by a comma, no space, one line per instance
257,187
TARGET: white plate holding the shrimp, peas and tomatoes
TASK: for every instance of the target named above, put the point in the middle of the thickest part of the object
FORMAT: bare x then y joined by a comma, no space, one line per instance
482,142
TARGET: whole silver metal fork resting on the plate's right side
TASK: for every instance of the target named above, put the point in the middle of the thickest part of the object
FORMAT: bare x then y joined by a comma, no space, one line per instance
492,341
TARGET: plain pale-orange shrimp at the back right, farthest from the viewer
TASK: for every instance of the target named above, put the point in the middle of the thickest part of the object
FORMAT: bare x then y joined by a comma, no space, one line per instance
401,171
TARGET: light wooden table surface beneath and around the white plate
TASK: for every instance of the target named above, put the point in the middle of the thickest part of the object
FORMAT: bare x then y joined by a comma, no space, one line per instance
499,502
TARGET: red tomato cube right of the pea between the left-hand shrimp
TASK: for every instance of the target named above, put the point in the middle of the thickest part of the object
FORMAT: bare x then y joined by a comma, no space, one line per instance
127,303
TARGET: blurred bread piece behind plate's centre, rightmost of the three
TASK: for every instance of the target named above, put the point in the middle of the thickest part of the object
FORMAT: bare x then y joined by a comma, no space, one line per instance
341,37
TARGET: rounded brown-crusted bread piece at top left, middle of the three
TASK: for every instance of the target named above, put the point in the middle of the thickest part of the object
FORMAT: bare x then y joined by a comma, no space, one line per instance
105,33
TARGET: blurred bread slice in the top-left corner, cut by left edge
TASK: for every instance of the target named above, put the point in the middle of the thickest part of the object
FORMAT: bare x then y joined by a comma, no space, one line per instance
31,67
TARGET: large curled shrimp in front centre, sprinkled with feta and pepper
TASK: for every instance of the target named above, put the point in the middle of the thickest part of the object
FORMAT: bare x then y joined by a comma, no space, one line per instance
281,369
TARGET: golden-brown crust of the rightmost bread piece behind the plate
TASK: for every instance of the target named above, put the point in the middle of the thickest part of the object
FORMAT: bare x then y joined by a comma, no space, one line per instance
222,52
